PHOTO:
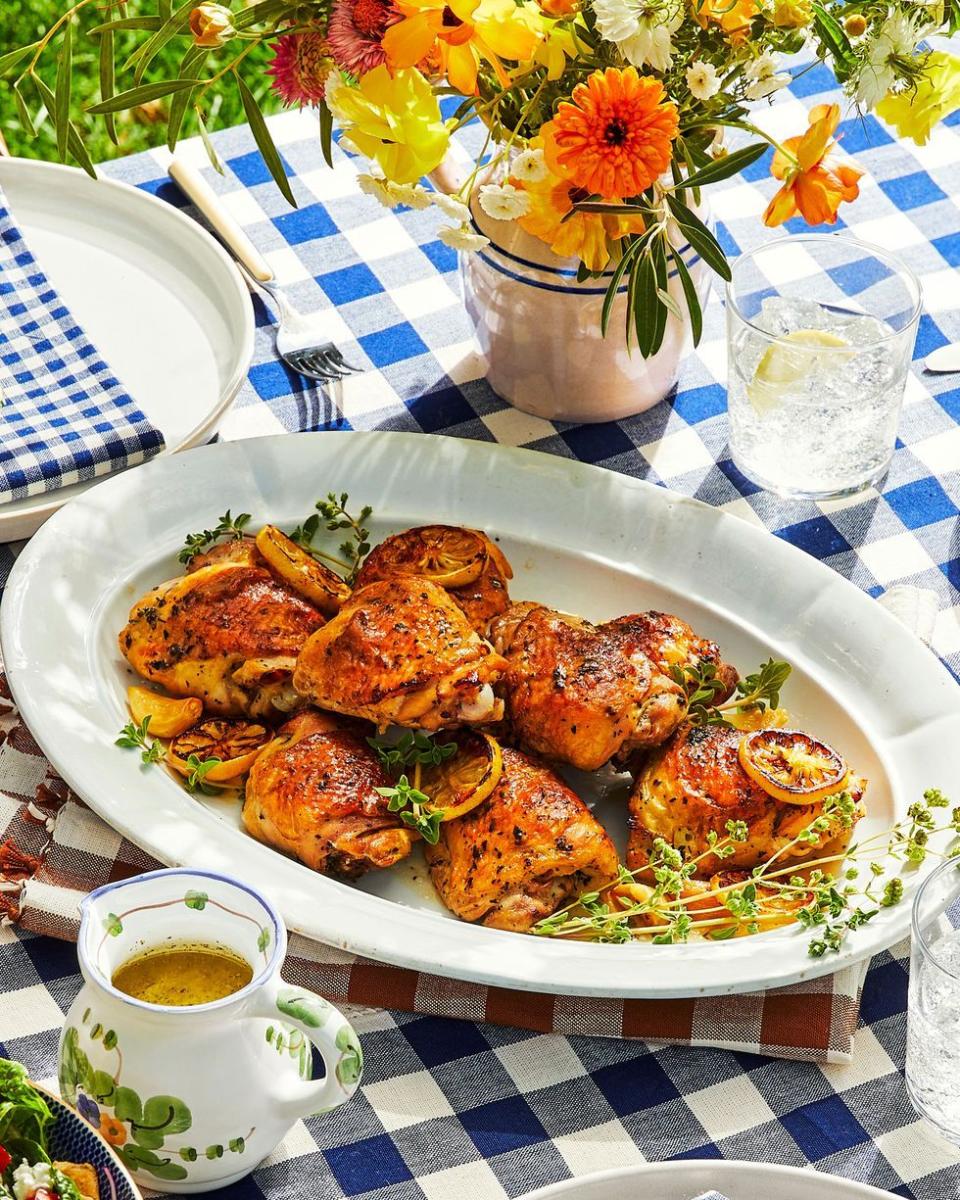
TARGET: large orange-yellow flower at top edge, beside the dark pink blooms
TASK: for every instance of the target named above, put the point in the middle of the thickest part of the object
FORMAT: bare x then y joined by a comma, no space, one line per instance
461,33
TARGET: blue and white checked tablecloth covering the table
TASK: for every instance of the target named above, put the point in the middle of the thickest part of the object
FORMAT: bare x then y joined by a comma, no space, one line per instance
452,1109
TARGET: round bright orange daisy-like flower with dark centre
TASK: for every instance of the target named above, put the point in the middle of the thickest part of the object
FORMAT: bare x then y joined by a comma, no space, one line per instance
614,136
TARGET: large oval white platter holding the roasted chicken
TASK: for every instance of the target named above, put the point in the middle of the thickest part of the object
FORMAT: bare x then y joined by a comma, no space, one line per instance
580,538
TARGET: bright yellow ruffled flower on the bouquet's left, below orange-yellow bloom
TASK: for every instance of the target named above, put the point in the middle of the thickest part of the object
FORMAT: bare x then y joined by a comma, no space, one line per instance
397,122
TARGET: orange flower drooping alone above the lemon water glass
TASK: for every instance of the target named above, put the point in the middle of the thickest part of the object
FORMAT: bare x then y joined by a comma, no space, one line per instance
815,184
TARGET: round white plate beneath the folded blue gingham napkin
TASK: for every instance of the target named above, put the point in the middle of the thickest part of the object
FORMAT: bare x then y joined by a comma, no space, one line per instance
155,293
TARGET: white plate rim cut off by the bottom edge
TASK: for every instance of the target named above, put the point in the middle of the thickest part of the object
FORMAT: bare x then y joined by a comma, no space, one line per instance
692,1179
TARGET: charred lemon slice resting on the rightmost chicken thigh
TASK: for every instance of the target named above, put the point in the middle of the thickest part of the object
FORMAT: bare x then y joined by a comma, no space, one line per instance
793,766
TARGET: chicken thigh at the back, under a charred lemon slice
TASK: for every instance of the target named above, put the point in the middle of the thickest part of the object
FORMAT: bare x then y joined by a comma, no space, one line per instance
483,598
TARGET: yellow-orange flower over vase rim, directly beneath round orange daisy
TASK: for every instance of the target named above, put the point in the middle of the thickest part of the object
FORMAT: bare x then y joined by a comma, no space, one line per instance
585,236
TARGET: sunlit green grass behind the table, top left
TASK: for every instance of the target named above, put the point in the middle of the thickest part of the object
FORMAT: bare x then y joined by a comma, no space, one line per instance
25,21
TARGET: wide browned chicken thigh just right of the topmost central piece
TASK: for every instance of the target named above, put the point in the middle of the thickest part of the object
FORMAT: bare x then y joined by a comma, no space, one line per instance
585,694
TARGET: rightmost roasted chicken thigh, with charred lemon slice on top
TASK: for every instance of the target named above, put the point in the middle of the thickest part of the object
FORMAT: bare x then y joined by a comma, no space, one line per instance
694,785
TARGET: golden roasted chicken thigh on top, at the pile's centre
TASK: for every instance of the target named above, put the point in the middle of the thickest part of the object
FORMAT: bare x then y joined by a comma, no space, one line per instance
401,652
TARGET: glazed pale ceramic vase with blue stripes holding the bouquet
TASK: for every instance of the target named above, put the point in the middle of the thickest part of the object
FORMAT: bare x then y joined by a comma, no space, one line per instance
539,331
